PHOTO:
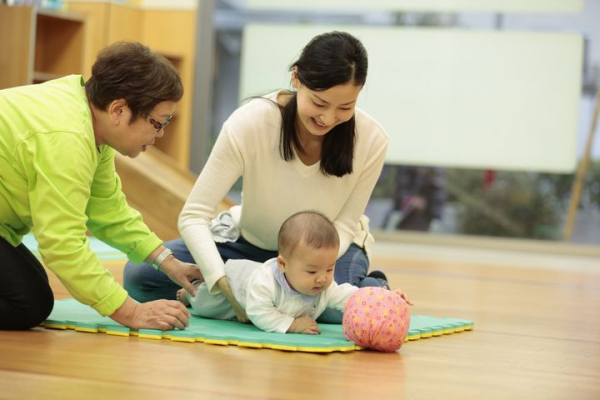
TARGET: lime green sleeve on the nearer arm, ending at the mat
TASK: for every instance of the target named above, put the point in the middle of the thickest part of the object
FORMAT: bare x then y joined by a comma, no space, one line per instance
60,170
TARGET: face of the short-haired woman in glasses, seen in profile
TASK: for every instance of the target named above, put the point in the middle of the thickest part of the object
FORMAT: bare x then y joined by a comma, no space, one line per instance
130,139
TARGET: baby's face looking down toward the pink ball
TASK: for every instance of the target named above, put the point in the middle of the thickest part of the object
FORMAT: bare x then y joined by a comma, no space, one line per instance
309,271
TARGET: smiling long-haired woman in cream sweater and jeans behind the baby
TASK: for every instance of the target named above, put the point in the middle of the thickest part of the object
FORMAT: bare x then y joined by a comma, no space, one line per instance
307,149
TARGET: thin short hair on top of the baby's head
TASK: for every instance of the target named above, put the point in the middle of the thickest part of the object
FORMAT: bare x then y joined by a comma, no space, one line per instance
309,227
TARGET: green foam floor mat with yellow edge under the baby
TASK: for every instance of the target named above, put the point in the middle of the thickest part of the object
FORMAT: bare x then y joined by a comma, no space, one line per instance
70,314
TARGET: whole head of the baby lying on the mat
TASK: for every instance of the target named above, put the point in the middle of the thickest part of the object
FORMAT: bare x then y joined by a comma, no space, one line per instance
308,248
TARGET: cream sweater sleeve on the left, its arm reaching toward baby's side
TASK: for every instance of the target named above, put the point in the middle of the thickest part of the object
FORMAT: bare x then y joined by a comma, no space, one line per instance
224,166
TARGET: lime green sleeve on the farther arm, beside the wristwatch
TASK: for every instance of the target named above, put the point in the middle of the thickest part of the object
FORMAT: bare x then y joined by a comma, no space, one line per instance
110,217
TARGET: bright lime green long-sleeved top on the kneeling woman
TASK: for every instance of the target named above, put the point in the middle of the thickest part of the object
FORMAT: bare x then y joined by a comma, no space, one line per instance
56,183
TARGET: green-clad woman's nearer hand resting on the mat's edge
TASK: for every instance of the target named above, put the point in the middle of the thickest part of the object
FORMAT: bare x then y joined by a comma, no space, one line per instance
159,314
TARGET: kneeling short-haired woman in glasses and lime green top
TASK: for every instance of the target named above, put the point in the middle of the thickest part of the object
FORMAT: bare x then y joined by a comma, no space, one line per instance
57,180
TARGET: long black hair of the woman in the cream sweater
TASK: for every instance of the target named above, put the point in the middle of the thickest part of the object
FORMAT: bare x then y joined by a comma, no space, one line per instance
330,59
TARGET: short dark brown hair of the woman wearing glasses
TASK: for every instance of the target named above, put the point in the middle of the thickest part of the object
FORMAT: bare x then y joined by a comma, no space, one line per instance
131,71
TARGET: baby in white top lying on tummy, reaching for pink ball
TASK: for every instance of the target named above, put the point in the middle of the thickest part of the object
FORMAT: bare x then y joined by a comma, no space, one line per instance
287,293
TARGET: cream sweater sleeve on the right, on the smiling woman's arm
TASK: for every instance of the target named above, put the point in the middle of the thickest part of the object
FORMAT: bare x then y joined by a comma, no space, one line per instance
356,203
